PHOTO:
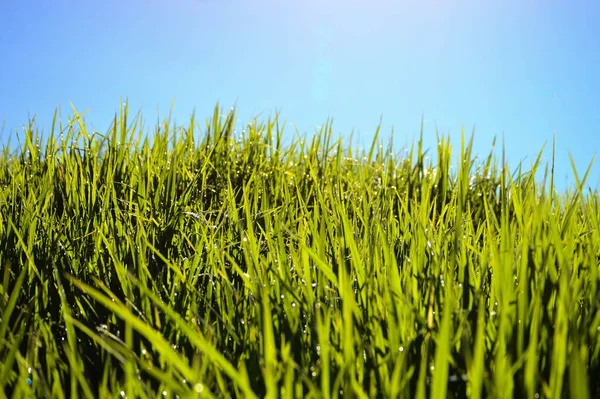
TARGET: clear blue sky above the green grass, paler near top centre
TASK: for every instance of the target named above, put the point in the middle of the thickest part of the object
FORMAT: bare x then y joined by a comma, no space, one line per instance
525,70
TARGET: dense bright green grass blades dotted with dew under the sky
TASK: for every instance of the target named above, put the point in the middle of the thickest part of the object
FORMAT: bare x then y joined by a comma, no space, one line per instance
200,263
